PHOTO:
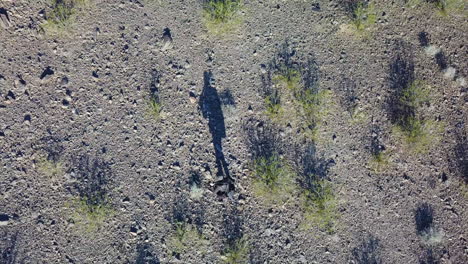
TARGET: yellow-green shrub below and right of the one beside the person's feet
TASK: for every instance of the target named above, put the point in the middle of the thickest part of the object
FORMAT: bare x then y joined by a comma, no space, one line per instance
320,206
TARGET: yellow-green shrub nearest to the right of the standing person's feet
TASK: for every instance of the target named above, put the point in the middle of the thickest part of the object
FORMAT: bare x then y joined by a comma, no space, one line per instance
273,179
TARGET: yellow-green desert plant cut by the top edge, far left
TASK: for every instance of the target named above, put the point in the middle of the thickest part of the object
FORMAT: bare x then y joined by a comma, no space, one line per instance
62,16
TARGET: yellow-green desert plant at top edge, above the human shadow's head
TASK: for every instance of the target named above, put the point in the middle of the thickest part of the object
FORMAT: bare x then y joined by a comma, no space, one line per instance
221,16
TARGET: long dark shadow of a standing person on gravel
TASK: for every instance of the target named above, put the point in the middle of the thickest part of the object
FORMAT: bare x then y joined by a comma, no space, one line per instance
210,106
